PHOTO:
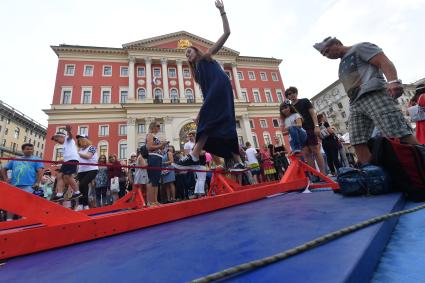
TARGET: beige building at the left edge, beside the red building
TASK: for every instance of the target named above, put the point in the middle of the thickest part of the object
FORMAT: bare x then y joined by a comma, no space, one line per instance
16,129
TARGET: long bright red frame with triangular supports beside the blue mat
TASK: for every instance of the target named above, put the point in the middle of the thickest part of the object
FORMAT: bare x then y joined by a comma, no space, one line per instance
46,225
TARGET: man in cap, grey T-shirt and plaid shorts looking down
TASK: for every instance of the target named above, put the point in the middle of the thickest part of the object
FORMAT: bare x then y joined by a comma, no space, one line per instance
372,97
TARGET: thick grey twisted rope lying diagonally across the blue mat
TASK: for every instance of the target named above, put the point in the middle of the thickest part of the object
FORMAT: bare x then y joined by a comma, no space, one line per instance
255,264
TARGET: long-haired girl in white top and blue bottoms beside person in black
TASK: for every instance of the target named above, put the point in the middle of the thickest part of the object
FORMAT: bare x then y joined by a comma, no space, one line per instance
293,125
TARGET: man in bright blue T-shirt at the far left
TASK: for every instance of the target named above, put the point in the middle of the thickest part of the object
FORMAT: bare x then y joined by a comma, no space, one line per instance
26,175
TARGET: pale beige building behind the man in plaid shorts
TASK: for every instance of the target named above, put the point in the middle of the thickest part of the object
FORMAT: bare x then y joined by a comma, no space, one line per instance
334,103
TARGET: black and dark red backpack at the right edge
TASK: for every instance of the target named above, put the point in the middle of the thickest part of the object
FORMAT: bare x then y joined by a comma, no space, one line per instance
404,162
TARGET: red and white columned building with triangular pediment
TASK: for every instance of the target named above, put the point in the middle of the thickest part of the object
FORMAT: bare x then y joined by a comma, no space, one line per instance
112,94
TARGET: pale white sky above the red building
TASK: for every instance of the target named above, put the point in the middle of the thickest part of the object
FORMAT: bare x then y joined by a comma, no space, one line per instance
270,28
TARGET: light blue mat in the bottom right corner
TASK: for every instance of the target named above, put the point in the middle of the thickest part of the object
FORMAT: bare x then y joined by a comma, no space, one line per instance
403,259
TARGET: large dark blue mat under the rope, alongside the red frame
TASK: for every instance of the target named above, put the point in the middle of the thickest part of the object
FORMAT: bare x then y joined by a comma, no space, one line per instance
190,248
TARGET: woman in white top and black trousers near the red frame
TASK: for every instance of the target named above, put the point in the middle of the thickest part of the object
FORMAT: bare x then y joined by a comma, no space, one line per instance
86,173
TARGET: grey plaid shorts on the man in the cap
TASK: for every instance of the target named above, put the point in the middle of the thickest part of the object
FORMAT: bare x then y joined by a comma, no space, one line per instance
378,109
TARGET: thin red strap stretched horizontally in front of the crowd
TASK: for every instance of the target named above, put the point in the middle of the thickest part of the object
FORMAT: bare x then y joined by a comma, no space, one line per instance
221,171
